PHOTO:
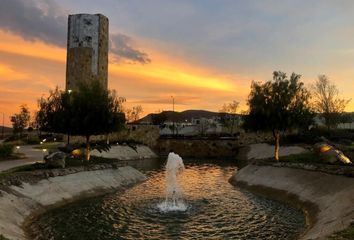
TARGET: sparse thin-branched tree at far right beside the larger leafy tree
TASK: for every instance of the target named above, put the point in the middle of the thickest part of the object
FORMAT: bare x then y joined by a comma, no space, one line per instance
327,102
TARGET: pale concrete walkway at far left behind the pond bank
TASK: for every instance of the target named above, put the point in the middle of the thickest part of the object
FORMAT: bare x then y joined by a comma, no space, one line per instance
32,155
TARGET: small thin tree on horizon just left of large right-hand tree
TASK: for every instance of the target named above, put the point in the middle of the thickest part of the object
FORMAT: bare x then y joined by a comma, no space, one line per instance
228,116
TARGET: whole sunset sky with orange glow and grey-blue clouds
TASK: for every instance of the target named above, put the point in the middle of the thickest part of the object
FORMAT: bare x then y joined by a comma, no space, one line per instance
202,52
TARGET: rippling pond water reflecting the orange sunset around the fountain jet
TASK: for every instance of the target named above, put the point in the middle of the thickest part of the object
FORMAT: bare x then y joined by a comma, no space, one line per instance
215,210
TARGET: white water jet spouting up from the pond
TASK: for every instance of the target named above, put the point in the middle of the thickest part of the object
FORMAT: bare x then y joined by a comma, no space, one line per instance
174,194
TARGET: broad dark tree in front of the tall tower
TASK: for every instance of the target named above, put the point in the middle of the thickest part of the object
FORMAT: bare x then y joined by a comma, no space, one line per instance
91,110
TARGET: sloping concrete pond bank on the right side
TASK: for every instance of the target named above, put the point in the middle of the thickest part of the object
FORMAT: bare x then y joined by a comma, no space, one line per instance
327,200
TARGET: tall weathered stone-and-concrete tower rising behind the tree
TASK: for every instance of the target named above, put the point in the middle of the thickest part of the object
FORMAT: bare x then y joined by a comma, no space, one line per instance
87,53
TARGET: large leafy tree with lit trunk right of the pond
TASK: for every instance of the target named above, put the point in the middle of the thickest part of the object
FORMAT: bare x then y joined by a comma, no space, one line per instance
278,105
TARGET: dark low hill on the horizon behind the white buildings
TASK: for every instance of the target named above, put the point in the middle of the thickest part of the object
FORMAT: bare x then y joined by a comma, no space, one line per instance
184,116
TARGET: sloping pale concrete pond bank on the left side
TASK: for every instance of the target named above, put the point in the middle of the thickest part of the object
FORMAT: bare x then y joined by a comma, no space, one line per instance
26,195
